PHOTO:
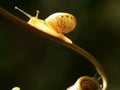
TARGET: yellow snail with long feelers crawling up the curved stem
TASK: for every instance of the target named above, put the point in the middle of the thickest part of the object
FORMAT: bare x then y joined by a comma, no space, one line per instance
56,24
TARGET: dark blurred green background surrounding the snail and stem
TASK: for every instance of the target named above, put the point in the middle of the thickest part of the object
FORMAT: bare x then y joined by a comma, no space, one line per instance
33,62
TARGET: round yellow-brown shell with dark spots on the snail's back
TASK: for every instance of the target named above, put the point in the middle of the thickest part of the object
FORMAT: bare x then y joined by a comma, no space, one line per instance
62,22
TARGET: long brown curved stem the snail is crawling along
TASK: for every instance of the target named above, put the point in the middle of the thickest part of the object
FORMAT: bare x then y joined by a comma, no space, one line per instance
72,46
